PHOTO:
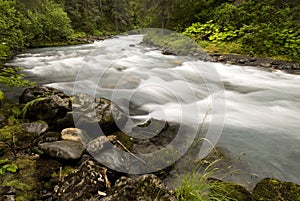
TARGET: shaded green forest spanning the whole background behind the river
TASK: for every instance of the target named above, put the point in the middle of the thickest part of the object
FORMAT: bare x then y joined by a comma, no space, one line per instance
252,27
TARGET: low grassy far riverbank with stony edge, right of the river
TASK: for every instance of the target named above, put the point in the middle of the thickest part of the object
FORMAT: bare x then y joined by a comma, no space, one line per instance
176,44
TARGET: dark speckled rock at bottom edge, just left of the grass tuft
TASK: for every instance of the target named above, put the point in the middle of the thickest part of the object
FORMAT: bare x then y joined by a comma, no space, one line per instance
145,187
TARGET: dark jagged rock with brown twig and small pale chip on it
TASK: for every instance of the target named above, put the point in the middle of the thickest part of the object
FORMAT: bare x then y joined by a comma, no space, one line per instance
87,181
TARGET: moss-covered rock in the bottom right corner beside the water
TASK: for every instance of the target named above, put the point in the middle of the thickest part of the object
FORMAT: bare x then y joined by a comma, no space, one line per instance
274,190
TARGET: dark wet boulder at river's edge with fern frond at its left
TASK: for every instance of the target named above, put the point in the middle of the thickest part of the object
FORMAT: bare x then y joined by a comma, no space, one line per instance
45,103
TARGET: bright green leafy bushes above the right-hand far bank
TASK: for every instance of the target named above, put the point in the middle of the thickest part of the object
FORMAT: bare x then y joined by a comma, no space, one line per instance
261,28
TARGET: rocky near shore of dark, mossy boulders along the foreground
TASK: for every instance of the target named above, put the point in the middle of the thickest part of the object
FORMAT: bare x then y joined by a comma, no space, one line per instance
48,151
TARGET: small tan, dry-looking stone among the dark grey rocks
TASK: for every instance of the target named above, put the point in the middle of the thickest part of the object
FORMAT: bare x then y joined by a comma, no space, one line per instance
75,134
